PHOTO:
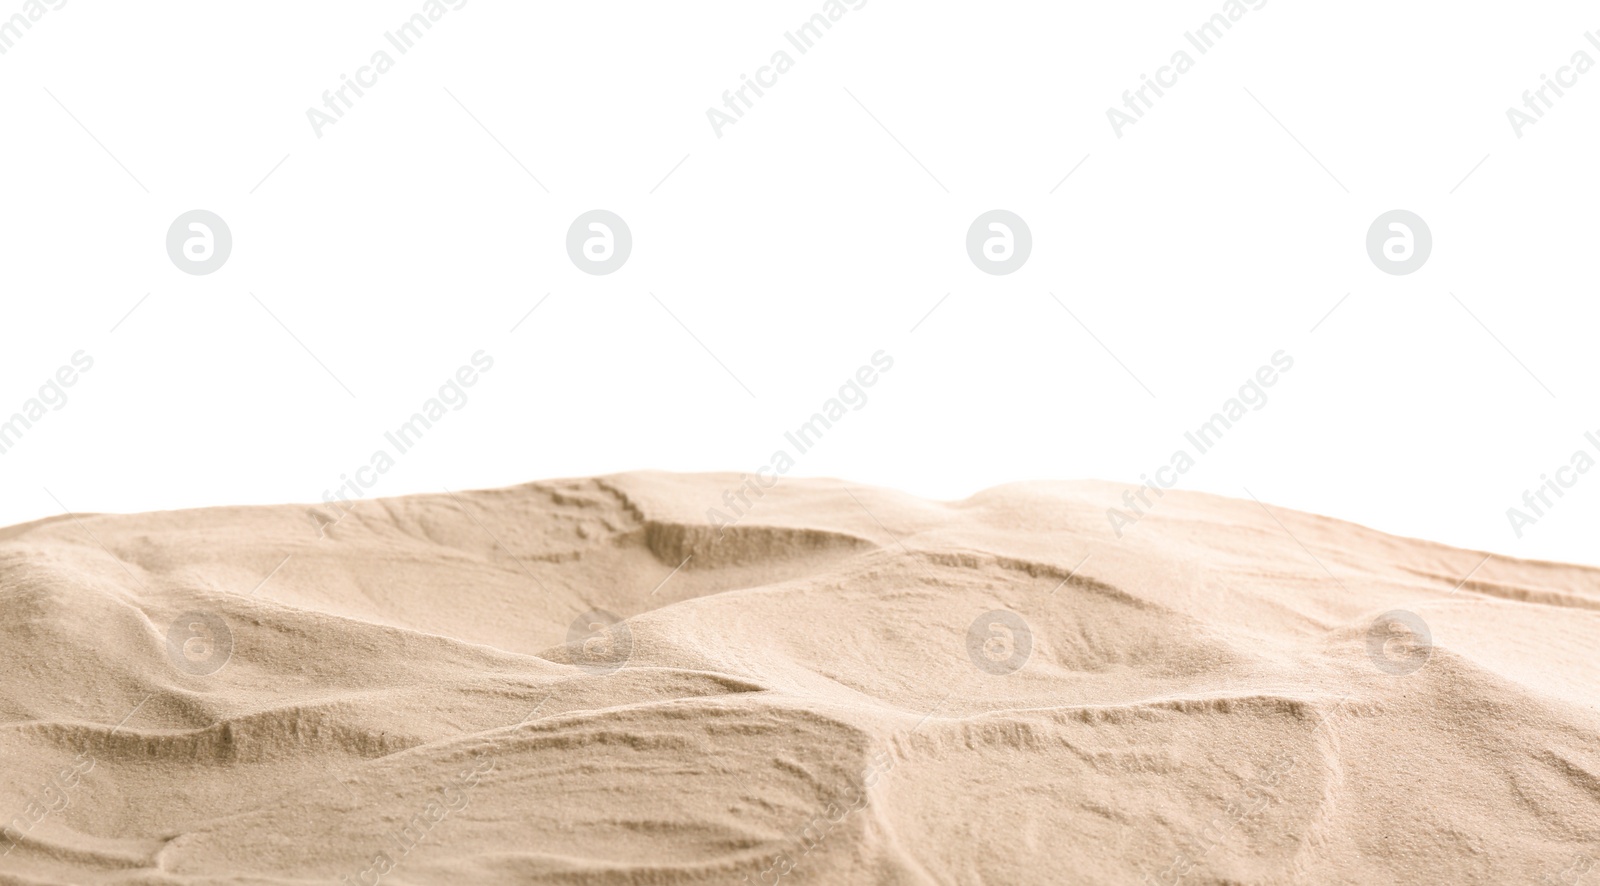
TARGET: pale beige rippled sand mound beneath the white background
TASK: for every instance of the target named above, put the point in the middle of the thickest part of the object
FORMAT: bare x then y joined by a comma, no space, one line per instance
1201,703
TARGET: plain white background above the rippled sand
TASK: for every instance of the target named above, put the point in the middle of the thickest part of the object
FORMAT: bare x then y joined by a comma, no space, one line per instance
799,244
